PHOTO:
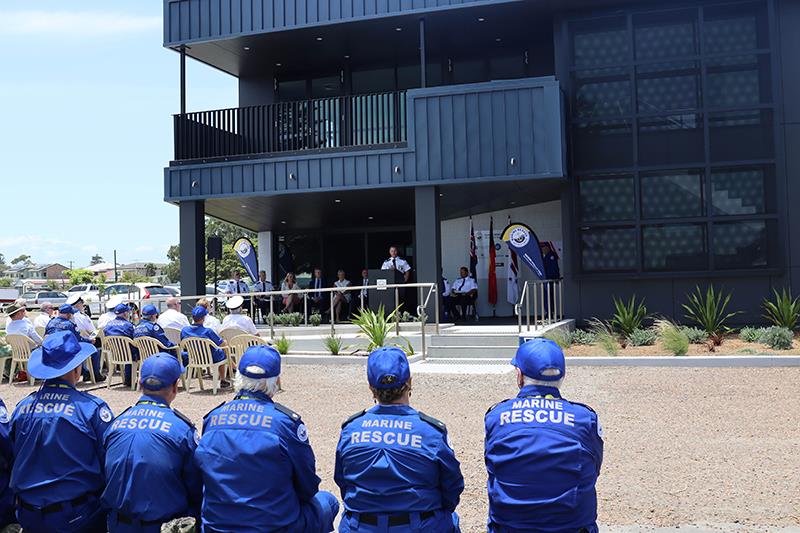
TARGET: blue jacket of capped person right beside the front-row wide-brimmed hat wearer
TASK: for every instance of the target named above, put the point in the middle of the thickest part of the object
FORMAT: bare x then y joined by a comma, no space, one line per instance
149,463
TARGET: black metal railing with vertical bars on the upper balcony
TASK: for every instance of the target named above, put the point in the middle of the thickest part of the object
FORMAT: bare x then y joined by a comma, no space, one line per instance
338,122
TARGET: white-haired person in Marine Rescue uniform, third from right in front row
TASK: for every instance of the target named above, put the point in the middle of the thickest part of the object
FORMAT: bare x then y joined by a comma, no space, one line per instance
259,471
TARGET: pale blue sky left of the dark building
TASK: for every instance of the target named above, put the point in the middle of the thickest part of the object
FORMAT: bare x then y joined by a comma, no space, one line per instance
86,98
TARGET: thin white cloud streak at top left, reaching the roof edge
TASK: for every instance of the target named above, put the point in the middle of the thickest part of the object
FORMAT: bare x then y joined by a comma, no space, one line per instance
77,24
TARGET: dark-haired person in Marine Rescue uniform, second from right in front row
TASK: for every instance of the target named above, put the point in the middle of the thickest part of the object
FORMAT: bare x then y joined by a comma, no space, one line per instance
394,465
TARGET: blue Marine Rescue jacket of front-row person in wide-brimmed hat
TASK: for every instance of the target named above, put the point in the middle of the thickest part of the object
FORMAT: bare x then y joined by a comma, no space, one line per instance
57,433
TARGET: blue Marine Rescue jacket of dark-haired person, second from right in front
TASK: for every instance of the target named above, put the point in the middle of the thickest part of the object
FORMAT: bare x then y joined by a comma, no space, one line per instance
394,459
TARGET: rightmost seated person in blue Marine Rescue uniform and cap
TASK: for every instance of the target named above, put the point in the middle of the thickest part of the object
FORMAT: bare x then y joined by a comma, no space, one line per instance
543,453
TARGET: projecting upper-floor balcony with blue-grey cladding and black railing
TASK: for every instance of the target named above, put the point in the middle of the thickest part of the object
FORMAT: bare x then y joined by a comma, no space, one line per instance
501,130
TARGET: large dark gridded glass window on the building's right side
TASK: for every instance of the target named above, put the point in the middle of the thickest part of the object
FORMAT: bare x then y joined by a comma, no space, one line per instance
677,104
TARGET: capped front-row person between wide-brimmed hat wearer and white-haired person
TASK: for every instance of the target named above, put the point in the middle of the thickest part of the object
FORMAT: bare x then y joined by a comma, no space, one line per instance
149,456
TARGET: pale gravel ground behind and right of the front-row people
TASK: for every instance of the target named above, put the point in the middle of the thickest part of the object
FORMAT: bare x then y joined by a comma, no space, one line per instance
683,446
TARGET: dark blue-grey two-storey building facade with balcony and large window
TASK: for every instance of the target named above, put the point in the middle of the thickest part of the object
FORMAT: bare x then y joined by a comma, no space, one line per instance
655,142
